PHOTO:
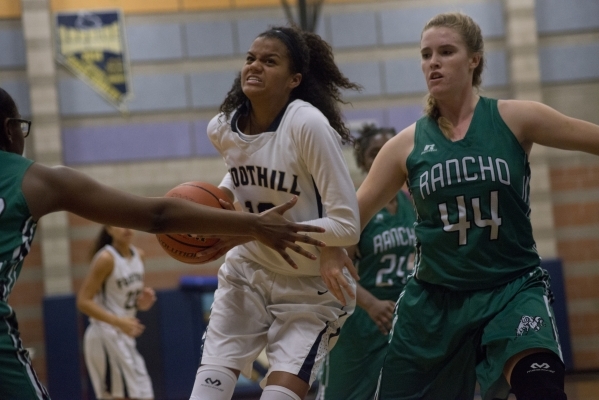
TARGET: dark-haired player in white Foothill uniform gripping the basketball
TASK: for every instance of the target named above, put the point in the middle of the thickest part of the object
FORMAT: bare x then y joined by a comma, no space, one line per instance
279,132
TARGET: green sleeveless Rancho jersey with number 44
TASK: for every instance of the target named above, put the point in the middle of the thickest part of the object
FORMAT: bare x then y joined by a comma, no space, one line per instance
472,202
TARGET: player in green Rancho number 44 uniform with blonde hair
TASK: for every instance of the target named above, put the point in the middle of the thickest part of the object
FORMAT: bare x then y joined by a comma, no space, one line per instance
477,307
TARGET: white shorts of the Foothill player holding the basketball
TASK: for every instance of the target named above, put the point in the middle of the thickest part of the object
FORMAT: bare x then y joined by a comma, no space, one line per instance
295,319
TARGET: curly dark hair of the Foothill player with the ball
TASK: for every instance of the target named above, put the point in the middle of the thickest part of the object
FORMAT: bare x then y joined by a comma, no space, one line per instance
321,82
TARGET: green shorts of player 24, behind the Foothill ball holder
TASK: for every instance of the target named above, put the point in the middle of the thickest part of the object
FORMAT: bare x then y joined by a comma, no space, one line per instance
352,368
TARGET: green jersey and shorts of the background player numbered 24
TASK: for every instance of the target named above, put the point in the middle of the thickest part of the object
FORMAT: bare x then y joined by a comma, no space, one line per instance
352,368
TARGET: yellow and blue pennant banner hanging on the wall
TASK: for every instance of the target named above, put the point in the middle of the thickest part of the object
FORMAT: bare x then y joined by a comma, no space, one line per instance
92,45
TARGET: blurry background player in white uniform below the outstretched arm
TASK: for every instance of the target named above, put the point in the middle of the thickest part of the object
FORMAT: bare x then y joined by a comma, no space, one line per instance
110,295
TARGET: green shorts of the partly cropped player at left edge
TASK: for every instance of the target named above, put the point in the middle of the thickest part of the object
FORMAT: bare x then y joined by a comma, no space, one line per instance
18,380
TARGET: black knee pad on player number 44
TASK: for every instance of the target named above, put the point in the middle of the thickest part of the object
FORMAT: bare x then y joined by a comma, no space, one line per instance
539,376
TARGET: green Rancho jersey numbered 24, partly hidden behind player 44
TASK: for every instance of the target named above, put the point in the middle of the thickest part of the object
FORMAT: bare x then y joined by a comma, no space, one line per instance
385,246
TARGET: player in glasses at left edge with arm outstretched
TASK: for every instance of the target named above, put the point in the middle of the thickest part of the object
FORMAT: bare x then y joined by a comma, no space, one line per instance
30,190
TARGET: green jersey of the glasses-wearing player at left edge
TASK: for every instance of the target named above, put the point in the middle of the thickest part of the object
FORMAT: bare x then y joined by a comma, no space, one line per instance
16,224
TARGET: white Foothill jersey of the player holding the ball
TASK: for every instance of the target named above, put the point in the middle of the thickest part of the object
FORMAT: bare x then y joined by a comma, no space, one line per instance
301,155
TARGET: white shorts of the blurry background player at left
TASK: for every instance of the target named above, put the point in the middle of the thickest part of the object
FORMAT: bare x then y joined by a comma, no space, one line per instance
115,367
